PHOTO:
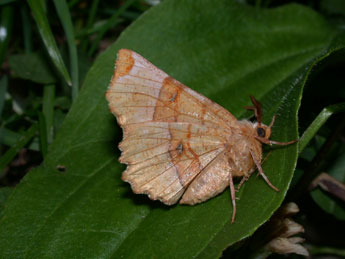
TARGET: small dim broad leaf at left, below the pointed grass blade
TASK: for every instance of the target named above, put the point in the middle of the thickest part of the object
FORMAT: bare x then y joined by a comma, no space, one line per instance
32,66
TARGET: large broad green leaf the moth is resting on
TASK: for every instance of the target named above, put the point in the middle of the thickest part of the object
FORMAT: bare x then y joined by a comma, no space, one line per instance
225,51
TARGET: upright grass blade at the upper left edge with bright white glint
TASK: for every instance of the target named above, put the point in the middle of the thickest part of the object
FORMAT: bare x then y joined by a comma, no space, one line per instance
6,22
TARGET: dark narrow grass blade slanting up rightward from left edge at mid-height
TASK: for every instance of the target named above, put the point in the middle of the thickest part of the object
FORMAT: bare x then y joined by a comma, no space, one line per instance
12,152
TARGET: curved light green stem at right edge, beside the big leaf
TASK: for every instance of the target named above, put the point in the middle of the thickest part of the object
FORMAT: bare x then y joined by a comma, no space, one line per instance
320,120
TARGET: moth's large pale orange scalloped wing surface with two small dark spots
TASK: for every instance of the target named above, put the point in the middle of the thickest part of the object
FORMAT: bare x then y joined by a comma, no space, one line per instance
171,133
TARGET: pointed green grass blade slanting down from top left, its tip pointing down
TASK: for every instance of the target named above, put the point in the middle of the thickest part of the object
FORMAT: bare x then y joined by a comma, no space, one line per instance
48,38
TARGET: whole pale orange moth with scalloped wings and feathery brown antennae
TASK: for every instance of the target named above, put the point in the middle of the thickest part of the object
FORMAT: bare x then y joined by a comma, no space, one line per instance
179,145
